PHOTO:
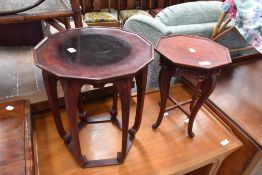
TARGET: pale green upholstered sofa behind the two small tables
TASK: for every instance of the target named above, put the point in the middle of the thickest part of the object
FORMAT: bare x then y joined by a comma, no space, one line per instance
194,18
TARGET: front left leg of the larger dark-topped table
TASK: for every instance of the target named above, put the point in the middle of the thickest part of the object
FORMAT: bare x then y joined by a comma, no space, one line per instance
71,90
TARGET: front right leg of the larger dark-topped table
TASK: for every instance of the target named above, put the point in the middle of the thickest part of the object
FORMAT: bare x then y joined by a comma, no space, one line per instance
124,89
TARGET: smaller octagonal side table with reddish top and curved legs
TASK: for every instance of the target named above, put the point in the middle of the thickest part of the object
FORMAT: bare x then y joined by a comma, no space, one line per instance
185,56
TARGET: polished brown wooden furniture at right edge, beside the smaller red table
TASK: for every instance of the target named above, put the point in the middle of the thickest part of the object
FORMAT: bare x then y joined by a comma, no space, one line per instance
237,101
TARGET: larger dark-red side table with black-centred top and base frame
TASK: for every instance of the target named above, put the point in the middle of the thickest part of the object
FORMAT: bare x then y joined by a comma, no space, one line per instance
95,62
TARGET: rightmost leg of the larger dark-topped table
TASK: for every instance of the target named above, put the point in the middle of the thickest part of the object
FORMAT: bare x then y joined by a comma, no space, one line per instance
141,78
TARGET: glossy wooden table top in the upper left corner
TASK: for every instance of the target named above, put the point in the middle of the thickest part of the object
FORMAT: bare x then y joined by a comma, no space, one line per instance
53,8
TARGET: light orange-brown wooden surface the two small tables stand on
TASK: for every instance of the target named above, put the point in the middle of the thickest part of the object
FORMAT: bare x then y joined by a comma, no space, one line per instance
168,150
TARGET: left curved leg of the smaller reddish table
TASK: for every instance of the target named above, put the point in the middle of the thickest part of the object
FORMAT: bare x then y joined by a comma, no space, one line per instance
164,85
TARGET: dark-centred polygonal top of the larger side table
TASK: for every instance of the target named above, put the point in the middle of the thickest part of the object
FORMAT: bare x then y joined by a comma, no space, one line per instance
93,53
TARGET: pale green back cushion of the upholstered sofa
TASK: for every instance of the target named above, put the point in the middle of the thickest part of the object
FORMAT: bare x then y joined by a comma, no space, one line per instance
191,13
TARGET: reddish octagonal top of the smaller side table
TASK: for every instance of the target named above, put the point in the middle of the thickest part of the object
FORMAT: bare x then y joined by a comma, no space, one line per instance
193,51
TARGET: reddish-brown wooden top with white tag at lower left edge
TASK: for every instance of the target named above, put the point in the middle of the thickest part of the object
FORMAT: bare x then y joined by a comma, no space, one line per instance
16,144
